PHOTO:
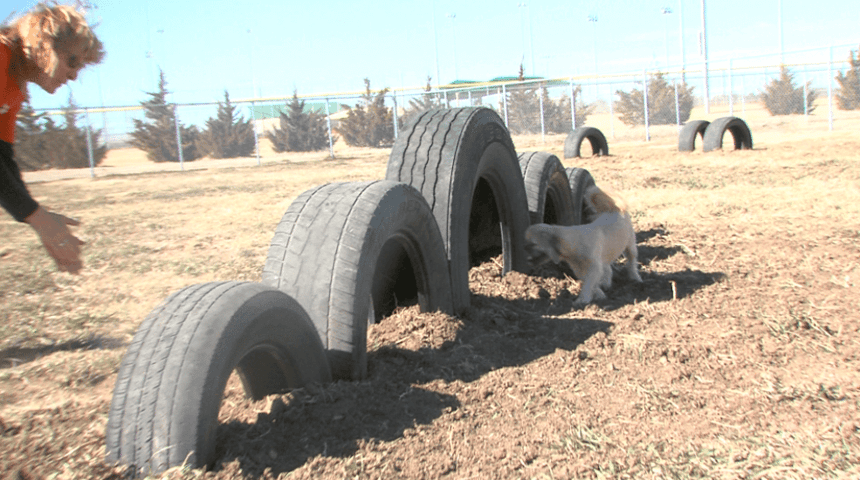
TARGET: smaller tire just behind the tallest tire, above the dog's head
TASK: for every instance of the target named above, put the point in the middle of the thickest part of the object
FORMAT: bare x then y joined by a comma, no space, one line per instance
547,189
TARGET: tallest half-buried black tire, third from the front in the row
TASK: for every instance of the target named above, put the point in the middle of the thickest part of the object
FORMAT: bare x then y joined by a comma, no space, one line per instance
464,163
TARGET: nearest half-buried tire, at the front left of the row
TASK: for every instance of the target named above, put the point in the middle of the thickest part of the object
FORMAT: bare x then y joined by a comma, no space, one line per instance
168,392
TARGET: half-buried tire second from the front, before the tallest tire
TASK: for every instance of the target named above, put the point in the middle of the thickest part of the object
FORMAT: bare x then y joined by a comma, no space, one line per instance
352,252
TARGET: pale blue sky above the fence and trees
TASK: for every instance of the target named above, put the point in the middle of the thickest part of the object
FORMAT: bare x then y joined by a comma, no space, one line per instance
205,47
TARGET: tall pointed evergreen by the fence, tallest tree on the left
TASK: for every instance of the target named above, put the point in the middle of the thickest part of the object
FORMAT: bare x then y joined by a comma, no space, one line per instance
158,137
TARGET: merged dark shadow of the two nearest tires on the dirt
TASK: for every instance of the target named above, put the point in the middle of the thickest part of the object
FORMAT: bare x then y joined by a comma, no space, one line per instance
335,420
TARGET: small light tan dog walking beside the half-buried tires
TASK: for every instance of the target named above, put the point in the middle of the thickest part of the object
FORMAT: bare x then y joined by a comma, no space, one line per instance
589,249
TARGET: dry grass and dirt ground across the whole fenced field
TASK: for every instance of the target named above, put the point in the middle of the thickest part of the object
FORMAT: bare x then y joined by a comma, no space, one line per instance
739,357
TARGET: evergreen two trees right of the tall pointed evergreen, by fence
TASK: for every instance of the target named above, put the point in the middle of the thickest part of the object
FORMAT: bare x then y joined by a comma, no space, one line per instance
299,131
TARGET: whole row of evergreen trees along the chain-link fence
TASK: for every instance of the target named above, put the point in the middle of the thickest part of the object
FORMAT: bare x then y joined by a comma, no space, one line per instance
42,143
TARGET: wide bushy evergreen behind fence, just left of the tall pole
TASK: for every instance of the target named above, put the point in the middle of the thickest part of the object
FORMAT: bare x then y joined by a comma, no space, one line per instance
661,103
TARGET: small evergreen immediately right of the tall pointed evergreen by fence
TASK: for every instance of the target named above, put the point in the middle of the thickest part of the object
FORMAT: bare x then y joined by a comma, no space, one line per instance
227,135
